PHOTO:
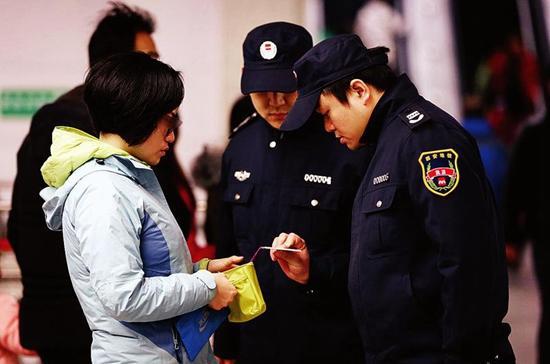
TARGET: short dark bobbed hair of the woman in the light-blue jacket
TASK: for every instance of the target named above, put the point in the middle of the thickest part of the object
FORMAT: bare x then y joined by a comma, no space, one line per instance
128,93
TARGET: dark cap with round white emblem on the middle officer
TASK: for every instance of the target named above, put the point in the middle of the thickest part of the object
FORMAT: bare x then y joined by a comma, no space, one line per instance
269,52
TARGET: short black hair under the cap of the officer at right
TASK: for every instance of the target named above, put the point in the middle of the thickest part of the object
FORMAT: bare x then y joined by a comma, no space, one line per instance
381,77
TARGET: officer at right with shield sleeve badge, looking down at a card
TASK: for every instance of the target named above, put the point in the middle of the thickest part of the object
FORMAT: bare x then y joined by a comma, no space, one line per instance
427,277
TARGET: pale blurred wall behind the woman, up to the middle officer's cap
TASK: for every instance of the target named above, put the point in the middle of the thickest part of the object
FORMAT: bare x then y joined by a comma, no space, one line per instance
44,44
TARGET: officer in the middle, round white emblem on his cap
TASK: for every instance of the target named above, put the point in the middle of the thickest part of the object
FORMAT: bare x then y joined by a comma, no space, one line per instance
275,181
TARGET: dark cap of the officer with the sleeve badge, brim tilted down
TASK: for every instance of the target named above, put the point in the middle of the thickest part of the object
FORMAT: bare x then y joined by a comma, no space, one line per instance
329,61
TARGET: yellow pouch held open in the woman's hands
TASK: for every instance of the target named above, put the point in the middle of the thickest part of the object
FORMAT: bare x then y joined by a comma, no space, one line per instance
249,302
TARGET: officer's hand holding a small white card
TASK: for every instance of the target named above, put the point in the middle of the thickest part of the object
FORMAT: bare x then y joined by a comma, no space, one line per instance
294,264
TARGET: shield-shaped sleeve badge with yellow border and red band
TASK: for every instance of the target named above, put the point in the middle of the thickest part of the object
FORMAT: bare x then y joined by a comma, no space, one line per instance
440,171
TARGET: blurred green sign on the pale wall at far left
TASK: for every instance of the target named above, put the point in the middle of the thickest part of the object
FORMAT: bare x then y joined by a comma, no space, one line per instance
23,103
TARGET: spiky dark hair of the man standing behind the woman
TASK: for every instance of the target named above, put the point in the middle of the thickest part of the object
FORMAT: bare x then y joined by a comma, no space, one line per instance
116,31
